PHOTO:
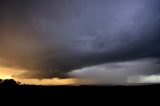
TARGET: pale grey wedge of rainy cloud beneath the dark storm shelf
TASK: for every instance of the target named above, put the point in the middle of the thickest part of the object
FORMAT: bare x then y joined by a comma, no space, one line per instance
126,72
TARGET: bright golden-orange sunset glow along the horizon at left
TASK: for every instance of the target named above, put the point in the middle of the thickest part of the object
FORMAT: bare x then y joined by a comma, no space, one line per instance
9,73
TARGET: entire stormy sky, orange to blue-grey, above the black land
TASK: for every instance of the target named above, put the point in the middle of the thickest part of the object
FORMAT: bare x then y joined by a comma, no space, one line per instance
52,42
